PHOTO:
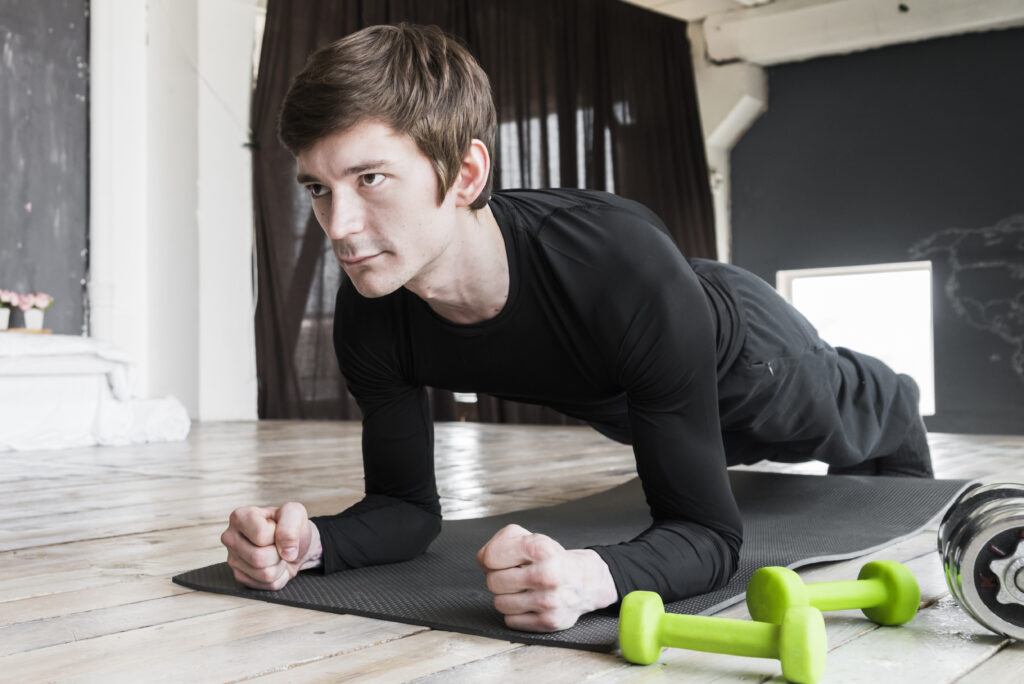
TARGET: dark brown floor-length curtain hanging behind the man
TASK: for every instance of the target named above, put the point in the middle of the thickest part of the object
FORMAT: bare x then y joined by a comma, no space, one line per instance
590,94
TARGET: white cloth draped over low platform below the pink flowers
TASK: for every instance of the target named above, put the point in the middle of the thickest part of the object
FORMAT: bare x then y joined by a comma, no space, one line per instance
60,392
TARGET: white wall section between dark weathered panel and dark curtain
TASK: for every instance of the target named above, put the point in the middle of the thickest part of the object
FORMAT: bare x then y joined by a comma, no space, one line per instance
172,213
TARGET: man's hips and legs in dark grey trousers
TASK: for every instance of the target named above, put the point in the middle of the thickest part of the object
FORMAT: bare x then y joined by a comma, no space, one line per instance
790,397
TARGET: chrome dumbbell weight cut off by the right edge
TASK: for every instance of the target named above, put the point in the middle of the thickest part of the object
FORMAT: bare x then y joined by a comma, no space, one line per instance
982,544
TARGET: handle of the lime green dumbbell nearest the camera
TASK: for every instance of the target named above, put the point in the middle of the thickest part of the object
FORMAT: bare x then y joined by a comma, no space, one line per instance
719,635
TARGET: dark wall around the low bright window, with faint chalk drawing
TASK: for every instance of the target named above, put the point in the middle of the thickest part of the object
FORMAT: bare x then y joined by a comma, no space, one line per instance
904,154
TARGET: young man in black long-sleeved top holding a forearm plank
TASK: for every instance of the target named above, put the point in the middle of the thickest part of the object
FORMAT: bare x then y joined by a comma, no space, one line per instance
574,300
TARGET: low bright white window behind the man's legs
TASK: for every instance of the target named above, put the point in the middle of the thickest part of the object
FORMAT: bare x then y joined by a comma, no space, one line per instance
884,311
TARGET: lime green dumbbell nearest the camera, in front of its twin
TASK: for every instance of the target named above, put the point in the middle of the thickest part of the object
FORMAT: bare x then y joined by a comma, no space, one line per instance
799,642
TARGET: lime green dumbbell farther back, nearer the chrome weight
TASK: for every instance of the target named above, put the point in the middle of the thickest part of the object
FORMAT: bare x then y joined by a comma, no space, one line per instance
885,591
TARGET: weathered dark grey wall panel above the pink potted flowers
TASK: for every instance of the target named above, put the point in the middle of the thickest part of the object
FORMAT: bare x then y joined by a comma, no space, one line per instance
45,127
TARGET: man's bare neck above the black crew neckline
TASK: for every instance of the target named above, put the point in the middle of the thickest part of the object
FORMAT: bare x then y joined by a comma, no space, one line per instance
473,284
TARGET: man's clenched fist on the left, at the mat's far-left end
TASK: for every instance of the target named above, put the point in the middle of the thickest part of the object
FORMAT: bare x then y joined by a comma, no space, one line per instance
267,547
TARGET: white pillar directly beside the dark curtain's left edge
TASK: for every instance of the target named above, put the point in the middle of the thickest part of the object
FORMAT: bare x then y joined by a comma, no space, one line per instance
227,339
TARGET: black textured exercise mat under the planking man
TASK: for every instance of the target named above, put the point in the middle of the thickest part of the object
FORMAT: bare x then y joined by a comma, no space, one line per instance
789,521
